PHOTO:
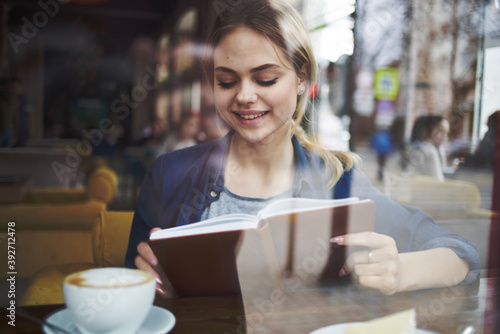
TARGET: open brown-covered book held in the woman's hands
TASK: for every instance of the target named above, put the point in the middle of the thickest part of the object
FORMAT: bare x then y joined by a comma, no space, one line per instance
285,246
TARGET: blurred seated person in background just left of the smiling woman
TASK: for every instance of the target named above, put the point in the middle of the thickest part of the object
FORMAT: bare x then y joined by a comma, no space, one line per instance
184,135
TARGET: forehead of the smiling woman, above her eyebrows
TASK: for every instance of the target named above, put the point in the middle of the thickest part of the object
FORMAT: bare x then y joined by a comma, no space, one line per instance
245,48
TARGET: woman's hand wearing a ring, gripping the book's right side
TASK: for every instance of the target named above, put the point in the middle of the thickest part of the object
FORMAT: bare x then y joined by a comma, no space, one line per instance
378,266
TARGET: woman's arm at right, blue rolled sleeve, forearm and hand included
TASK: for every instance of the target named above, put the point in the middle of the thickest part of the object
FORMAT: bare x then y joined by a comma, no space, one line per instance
409,251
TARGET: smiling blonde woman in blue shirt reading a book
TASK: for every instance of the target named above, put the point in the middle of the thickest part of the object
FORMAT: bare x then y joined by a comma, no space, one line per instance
260,66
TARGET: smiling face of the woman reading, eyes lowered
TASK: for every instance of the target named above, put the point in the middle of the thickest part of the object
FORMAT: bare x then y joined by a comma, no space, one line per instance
255,86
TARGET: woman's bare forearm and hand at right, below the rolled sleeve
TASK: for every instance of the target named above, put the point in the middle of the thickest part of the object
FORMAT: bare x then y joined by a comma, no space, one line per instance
382,267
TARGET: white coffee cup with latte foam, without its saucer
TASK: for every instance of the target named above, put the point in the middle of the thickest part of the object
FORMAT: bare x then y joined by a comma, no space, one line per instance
109,300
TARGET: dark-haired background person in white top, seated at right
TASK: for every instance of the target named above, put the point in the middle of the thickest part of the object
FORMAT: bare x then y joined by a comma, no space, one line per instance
426,155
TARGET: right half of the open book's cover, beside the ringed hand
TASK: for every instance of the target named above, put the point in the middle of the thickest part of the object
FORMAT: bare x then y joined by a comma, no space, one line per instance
307,258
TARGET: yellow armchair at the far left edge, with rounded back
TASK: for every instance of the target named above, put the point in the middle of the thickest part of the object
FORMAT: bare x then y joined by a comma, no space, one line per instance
63,230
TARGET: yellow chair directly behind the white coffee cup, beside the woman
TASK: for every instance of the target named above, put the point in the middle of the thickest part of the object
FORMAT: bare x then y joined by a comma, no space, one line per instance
110,236
